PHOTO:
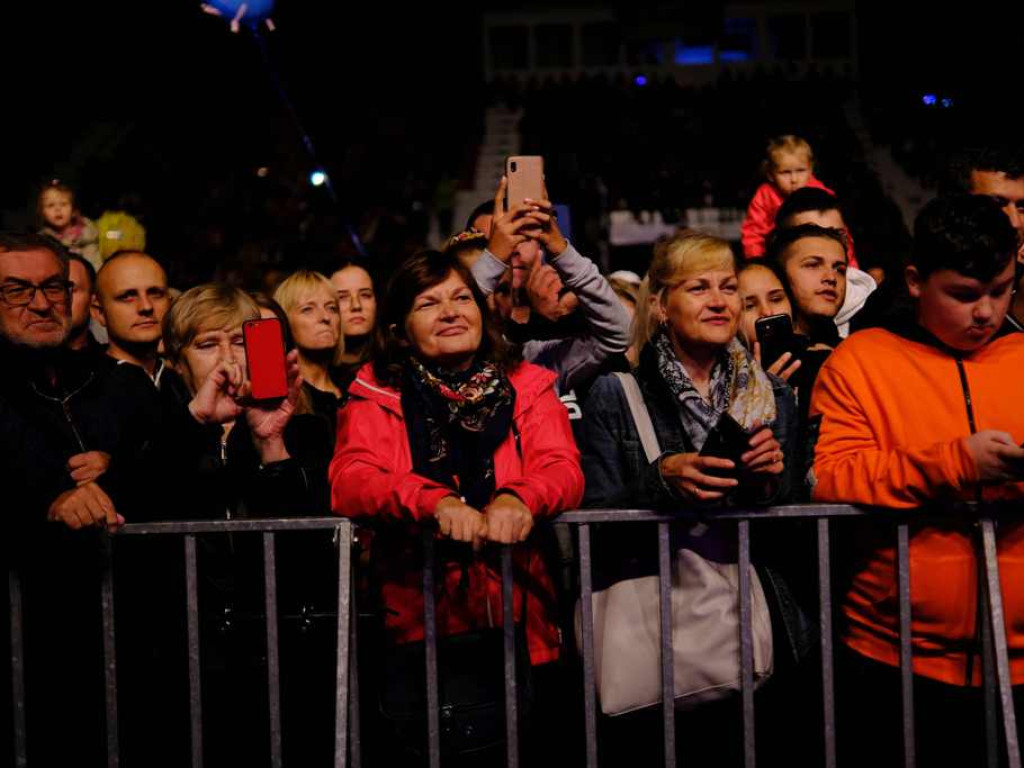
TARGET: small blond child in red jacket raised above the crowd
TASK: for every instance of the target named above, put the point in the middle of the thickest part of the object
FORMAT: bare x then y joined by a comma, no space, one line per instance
789,166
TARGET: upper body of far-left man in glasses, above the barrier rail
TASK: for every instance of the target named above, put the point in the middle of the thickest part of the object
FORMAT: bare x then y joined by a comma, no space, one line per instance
62,419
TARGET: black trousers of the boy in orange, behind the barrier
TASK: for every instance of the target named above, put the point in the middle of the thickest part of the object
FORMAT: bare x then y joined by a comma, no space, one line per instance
950,720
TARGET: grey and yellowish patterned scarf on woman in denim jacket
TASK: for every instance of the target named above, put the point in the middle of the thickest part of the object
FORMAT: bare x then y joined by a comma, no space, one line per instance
739,388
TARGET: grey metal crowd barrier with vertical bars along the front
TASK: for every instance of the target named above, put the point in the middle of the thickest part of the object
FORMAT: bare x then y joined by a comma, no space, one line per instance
999,695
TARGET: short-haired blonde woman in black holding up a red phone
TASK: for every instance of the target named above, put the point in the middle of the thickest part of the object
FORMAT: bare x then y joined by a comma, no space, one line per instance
227,457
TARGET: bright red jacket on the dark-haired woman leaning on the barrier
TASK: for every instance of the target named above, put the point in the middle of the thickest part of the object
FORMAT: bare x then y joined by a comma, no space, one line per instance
371,477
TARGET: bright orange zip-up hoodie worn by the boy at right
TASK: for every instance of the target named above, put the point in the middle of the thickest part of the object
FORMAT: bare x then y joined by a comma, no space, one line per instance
893,432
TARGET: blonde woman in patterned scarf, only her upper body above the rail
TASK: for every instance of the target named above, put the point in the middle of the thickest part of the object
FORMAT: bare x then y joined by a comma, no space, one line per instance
693,371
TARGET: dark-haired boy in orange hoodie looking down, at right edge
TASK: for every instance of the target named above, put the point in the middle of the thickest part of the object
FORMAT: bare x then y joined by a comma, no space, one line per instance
929,412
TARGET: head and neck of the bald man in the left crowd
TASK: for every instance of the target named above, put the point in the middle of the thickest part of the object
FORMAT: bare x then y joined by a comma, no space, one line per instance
132,300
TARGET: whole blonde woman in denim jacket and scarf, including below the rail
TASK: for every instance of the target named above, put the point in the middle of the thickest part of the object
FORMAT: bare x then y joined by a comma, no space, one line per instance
694,375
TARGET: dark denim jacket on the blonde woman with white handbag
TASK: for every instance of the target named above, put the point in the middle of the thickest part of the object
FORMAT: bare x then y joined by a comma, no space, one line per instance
619,476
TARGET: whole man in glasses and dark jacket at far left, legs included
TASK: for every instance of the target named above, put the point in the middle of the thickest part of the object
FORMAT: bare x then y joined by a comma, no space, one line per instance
73,449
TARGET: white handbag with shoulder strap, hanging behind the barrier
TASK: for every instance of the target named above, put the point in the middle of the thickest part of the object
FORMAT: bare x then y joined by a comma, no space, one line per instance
705,617
